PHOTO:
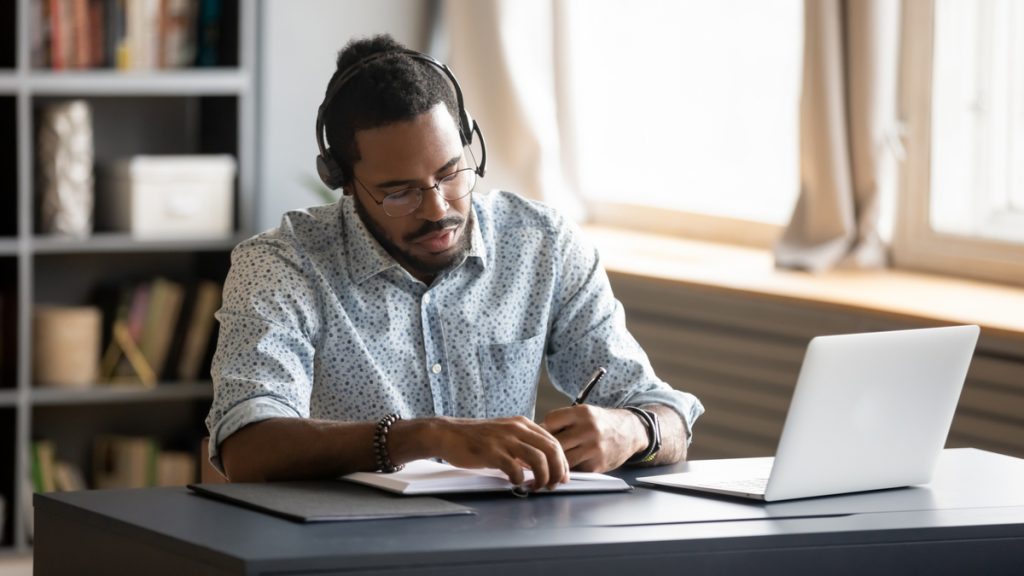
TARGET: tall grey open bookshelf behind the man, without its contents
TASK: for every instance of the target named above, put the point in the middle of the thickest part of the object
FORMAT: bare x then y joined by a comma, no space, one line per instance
190,110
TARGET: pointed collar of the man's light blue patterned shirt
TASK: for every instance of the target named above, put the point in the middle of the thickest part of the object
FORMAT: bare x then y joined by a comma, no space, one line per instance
368,259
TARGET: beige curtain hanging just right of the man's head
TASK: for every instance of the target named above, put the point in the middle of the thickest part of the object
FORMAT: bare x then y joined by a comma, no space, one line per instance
506,56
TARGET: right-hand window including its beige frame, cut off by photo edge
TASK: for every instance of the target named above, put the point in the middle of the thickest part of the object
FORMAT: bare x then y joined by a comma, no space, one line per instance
963,196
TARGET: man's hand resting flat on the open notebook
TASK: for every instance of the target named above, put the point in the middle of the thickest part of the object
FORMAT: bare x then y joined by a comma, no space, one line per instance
506,444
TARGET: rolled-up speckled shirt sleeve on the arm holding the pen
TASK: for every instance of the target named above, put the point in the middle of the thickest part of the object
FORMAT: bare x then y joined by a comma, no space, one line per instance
589,331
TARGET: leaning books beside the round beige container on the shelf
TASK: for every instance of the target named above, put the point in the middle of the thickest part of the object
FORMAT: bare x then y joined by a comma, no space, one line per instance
161,330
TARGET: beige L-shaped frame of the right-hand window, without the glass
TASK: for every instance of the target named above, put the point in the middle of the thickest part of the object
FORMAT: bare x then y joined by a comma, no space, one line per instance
916,244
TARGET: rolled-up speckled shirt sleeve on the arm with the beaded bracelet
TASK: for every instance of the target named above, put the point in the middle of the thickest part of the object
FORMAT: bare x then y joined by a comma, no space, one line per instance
264,366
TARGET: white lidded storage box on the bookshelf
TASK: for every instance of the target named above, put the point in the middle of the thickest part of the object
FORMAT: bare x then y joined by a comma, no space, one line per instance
173,197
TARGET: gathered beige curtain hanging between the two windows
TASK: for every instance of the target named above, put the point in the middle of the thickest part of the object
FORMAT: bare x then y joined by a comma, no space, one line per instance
847,128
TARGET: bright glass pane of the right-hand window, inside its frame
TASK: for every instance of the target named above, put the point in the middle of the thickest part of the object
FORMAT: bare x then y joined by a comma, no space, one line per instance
978,120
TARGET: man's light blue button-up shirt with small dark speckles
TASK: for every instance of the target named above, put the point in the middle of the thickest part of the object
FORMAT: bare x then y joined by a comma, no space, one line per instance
320,321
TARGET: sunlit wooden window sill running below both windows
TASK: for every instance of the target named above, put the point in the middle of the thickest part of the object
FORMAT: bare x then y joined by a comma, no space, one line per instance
929,298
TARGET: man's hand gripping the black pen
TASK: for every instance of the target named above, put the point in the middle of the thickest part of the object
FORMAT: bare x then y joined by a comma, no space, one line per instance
596,439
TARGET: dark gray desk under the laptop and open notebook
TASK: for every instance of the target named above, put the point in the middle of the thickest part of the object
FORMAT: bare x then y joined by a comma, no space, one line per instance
969,521
